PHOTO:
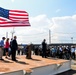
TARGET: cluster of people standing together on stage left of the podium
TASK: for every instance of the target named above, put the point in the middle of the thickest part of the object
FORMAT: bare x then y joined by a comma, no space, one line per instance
6,44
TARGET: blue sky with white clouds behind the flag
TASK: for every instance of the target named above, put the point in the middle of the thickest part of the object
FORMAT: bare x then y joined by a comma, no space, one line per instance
55,16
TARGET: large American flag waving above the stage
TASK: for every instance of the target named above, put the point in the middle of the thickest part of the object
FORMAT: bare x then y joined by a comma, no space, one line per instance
13,18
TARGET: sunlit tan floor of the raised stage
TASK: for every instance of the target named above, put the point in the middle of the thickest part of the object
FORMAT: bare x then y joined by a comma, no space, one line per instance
26,64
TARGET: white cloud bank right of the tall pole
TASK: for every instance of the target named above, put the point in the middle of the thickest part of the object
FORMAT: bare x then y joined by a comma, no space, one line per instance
64,28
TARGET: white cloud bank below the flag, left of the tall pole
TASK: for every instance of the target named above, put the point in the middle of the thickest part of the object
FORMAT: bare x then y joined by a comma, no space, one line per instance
35,33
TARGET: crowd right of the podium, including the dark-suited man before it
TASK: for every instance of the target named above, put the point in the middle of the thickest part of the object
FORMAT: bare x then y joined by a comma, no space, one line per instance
62,52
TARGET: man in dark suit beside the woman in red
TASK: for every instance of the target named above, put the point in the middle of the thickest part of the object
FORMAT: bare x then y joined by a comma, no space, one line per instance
14,48
